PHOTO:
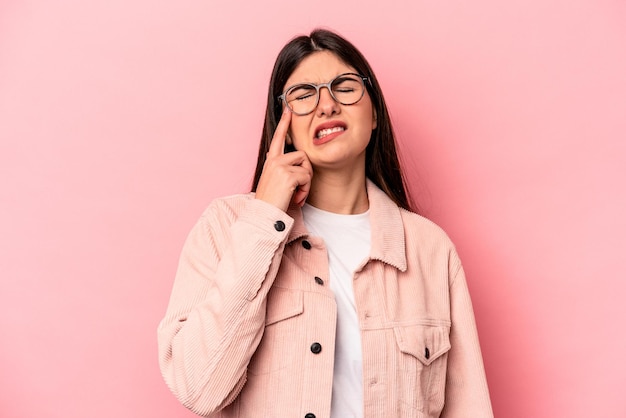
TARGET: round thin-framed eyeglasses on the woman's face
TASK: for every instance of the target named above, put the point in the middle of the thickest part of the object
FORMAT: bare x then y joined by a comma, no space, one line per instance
346,89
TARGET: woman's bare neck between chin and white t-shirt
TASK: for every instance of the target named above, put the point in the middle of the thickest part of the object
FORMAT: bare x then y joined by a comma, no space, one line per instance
338,193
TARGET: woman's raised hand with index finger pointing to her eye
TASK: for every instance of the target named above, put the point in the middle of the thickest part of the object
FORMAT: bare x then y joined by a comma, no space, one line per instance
286,177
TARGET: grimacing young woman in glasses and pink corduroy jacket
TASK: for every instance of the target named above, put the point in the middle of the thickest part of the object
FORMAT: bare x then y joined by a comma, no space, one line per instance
320,294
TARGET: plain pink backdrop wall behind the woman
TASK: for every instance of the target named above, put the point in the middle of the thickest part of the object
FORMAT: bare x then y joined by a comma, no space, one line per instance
120,121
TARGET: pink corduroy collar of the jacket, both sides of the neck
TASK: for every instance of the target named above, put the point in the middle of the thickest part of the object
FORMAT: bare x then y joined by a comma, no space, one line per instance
386,225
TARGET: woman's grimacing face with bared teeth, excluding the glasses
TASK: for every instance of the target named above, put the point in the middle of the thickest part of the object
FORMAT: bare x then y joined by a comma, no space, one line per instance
334,136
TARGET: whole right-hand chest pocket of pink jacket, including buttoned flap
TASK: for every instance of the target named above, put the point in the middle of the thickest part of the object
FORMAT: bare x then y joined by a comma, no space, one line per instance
422,365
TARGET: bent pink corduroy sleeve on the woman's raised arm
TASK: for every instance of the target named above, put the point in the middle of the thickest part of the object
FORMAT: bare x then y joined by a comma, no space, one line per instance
216,314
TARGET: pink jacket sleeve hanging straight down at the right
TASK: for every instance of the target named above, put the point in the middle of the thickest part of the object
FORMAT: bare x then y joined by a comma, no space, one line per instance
467,394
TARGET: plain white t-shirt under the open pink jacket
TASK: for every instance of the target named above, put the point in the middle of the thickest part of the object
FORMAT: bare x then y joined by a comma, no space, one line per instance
348,241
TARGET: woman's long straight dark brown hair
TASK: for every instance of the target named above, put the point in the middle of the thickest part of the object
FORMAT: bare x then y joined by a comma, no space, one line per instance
381,160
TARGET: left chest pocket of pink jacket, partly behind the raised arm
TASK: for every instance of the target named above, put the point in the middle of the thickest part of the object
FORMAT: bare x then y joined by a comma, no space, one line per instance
276,349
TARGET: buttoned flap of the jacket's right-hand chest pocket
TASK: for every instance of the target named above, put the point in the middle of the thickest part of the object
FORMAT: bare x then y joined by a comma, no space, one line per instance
424,342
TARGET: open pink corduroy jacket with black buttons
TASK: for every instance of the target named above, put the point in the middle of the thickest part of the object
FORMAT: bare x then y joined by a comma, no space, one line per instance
250,327
